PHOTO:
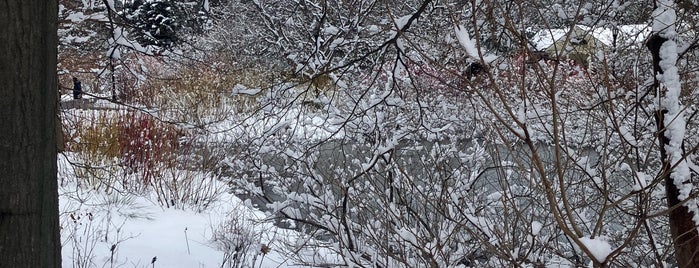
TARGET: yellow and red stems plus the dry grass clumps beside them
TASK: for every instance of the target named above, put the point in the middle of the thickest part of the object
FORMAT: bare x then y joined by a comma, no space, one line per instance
130,151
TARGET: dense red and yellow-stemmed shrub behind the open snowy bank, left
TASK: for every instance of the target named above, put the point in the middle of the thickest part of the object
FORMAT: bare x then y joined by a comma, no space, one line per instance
137,143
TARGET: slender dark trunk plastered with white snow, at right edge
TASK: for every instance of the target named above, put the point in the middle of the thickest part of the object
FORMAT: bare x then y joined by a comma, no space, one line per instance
671,128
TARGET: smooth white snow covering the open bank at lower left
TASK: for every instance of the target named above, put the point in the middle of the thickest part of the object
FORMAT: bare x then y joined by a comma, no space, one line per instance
115,230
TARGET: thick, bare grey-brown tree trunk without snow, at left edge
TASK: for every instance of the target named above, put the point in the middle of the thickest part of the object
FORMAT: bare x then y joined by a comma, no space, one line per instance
29,232
